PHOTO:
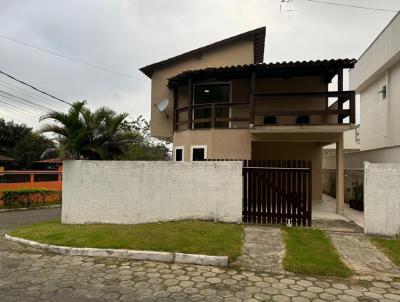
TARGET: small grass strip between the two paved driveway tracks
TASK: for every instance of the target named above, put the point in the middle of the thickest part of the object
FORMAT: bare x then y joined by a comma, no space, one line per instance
310,252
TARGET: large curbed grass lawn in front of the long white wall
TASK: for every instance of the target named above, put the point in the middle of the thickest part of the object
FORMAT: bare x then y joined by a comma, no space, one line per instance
197,237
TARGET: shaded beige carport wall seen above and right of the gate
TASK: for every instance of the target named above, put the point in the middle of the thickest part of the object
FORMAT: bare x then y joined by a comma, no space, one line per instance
294,151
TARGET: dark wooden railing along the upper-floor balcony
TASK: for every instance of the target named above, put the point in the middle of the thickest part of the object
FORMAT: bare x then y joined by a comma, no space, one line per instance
242,114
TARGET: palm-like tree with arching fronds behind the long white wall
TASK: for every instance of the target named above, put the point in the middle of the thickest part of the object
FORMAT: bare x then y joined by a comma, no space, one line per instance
91,135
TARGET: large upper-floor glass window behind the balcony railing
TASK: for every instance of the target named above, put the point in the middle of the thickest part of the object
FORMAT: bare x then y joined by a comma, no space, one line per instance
207,94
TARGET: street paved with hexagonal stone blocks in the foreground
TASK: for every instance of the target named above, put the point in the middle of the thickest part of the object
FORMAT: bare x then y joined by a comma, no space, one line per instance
29,275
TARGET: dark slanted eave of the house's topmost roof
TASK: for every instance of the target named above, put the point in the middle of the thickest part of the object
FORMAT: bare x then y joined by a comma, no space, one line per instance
257,36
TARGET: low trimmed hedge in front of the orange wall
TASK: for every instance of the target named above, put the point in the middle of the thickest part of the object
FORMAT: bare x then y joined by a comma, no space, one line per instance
26,198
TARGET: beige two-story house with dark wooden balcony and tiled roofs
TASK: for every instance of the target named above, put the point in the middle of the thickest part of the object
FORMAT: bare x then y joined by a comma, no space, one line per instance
226,103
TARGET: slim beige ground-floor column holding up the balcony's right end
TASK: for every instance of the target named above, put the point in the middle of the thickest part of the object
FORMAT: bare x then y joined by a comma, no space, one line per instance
339,175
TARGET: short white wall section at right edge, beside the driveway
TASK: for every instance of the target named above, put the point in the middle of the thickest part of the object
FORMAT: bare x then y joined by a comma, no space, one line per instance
382,199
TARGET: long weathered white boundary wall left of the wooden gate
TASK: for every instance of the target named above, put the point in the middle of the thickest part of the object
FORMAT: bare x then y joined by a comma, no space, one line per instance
130,192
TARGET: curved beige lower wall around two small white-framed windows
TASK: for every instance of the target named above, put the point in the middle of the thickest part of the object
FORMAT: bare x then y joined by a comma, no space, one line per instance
221,143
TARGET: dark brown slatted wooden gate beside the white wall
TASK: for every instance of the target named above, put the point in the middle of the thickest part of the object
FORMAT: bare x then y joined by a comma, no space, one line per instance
277,192
